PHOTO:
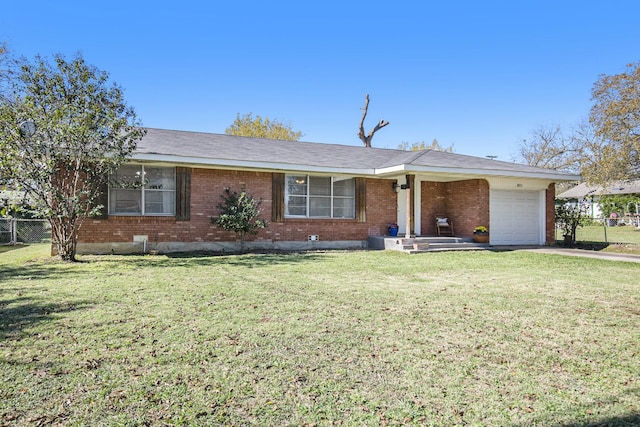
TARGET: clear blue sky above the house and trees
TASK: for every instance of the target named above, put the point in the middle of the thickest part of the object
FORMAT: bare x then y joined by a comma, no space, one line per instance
478,75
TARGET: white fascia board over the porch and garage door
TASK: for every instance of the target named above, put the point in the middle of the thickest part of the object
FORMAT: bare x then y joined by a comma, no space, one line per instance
472,173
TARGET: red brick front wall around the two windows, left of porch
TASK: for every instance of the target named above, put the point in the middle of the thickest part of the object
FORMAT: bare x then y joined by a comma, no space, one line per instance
207,185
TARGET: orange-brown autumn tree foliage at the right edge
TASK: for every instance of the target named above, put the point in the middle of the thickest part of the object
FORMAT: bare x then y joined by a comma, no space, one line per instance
615,117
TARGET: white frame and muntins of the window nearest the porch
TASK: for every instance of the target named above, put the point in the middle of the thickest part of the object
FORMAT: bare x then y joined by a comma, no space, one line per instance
307,196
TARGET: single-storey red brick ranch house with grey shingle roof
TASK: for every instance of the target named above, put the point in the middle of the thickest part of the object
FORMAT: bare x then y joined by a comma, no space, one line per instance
314,195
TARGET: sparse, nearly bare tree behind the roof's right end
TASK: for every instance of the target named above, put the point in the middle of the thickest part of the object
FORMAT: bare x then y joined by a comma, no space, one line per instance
549,147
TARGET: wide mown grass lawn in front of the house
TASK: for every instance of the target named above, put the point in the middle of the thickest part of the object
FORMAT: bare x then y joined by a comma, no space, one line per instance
337,338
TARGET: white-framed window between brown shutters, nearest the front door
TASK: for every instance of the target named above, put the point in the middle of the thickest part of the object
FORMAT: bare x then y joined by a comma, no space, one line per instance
319,196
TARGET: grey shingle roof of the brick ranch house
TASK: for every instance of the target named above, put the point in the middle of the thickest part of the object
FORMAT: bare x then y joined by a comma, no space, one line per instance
208,148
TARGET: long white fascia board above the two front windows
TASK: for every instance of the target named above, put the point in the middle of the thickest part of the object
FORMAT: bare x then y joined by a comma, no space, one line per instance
240,164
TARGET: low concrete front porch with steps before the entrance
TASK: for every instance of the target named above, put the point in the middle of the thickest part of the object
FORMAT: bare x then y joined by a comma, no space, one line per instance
418,244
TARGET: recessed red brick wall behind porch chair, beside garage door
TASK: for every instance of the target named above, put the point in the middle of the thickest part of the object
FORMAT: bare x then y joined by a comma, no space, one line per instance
465,203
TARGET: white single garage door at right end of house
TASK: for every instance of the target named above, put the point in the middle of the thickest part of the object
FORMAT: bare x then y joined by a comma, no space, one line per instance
515,217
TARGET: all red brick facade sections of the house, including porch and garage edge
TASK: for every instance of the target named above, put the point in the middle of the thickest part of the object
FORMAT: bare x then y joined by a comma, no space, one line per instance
466,203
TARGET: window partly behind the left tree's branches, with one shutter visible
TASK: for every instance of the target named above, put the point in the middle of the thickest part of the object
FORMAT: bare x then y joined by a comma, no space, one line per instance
142,190
